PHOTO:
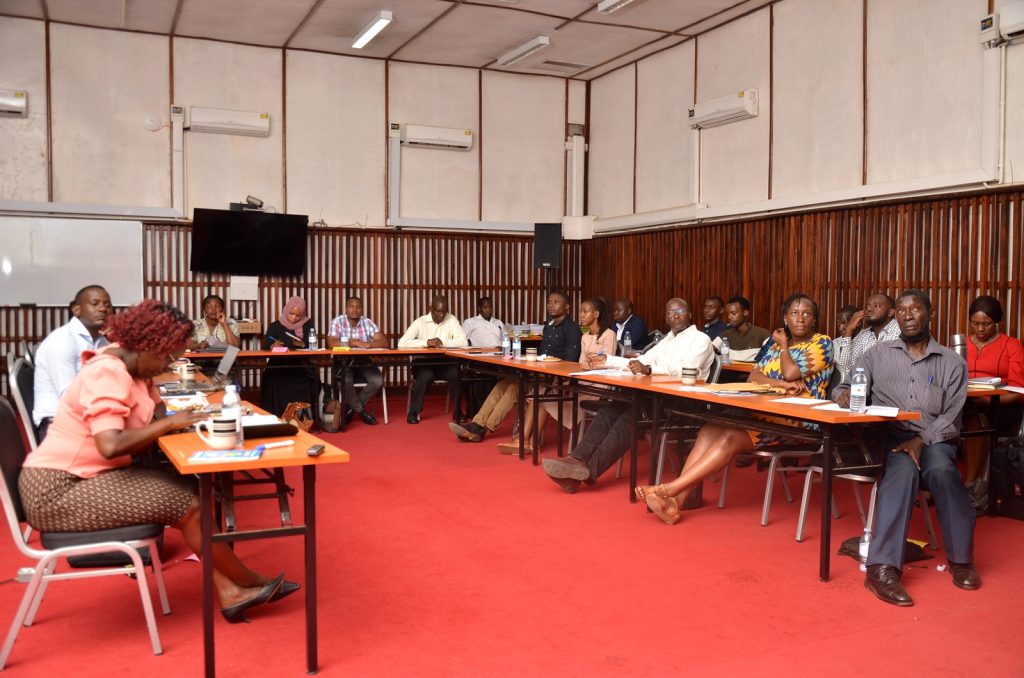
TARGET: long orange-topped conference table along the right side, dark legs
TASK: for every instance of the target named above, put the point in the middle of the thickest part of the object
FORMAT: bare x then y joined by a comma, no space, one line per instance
731,410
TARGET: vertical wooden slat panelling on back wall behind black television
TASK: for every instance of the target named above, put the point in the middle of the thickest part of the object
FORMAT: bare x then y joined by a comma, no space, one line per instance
395,273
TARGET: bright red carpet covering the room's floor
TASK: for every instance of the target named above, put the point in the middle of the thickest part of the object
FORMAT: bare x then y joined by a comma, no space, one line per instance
440,559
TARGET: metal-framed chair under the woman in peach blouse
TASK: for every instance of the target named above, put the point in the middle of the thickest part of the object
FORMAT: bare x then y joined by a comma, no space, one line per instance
56,546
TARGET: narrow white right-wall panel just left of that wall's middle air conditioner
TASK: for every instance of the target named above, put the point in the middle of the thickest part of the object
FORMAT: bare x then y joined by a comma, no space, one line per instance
665,141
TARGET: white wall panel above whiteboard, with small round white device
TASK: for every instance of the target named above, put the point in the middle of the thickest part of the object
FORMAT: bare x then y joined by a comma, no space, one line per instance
104,86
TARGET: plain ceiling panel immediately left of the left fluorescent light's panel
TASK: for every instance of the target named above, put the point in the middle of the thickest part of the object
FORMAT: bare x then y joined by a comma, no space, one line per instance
254,22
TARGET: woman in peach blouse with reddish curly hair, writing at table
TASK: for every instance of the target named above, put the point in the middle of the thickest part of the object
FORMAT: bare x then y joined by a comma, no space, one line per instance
82,479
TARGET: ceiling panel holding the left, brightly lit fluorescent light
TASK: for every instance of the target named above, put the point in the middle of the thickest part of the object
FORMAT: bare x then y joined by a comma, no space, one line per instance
336,23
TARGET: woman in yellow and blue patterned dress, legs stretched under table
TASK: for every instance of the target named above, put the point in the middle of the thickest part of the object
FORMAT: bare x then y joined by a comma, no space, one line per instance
800,361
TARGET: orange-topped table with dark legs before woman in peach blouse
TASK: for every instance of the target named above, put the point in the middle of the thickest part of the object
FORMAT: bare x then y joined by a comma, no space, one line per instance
179,448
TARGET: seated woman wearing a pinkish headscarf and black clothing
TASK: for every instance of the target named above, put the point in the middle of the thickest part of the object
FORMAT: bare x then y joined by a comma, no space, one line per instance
288,380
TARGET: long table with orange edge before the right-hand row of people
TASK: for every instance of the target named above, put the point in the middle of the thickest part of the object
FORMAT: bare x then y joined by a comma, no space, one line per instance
730,410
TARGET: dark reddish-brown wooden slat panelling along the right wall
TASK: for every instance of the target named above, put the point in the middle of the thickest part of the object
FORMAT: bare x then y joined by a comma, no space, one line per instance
954,248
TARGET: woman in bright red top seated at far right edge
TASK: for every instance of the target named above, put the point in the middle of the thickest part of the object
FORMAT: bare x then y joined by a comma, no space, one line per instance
991,354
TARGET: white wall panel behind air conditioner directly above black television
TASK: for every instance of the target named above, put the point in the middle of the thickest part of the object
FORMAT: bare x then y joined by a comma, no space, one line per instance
225,168
